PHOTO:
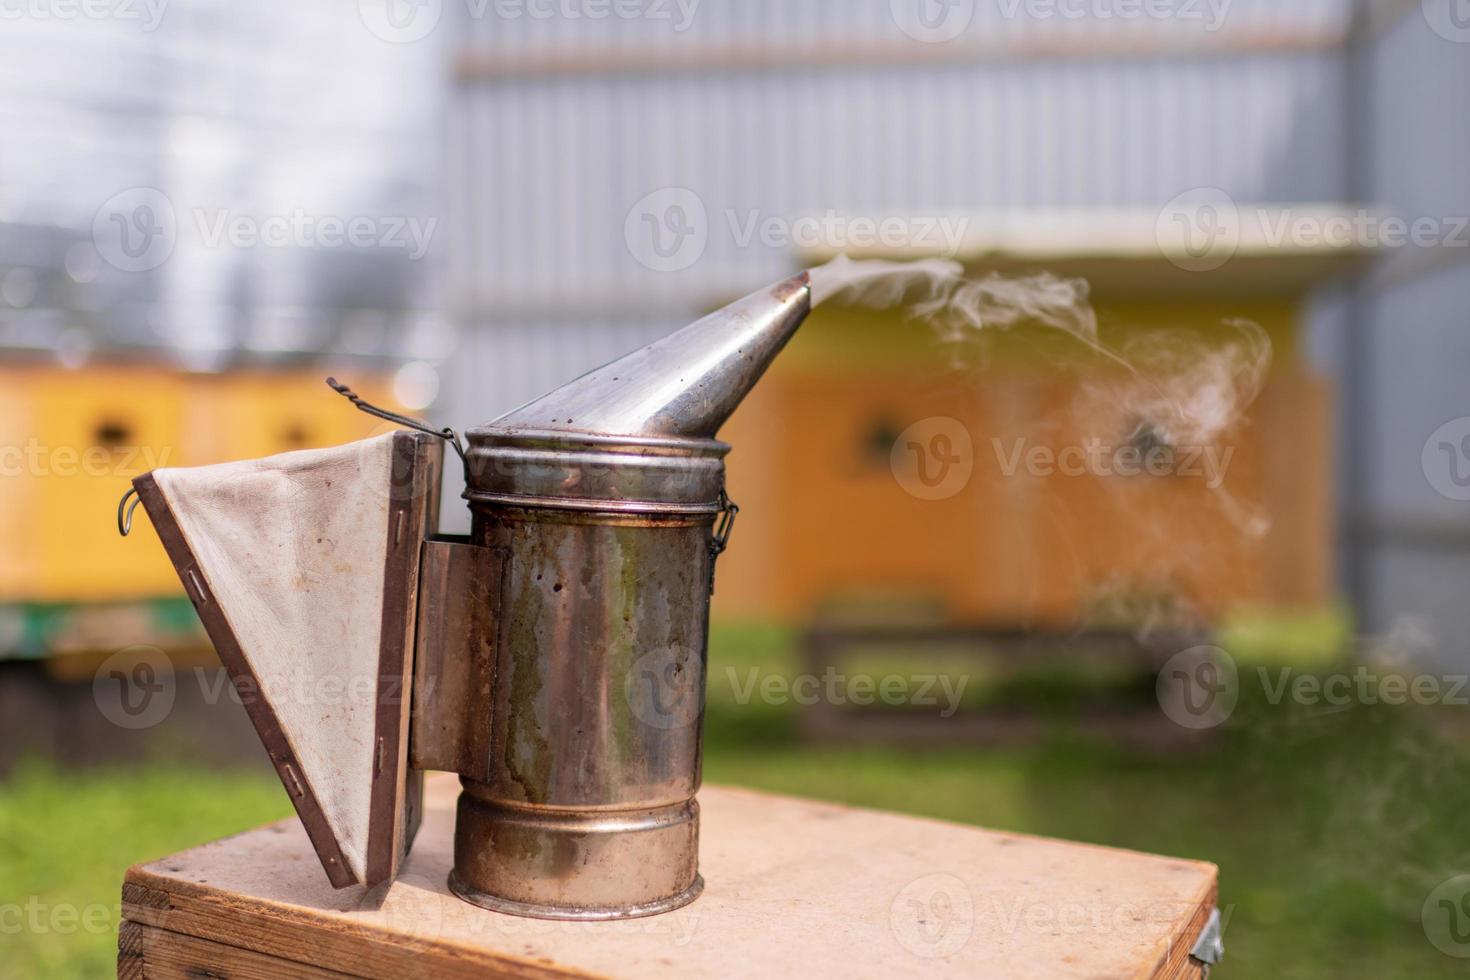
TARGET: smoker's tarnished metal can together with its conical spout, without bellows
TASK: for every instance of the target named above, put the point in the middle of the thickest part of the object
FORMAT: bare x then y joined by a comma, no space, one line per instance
605,505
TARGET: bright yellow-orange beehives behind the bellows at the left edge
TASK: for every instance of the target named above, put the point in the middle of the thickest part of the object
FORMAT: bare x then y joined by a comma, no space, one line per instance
73,440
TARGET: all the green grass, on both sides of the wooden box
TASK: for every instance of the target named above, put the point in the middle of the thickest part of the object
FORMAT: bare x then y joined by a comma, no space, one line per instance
1331,826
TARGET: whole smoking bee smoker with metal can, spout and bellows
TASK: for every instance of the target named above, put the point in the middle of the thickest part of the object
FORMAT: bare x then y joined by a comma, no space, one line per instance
555,657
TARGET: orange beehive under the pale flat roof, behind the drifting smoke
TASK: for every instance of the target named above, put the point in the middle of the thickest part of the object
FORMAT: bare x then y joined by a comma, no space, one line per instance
825,521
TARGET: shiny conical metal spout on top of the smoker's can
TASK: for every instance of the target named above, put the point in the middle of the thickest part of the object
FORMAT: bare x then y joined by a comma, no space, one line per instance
684,386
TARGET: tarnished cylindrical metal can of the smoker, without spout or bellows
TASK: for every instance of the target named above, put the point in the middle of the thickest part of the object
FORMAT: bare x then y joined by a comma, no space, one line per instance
596,707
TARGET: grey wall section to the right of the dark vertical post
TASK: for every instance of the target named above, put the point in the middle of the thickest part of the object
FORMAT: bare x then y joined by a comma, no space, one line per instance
1413,370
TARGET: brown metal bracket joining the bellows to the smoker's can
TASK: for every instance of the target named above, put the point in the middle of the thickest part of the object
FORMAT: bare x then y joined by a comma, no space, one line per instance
455,656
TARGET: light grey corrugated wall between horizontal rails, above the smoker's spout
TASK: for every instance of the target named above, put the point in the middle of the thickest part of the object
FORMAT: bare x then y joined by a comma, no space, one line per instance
559,164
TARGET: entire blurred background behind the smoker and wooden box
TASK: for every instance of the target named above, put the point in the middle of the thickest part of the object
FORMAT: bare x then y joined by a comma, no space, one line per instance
1255,653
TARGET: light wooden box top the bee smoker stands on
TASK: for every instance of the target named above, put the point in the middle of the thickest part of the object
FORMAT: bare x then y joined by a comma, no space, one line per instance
795,890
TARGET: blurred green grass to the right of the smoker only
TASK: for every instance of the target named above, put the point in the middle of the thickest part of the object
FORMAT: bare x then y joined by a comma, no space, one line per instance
1331,826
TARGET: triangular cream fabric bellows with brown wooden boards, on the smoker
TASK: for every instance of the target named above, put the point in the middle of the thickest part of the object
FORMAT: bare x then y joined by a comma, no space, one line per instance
305,571
